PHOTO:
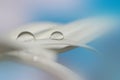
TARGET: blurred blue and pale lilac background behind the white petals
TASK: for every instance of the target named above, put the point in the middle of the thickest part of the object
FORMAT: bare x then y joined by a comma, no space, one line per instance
15,13
